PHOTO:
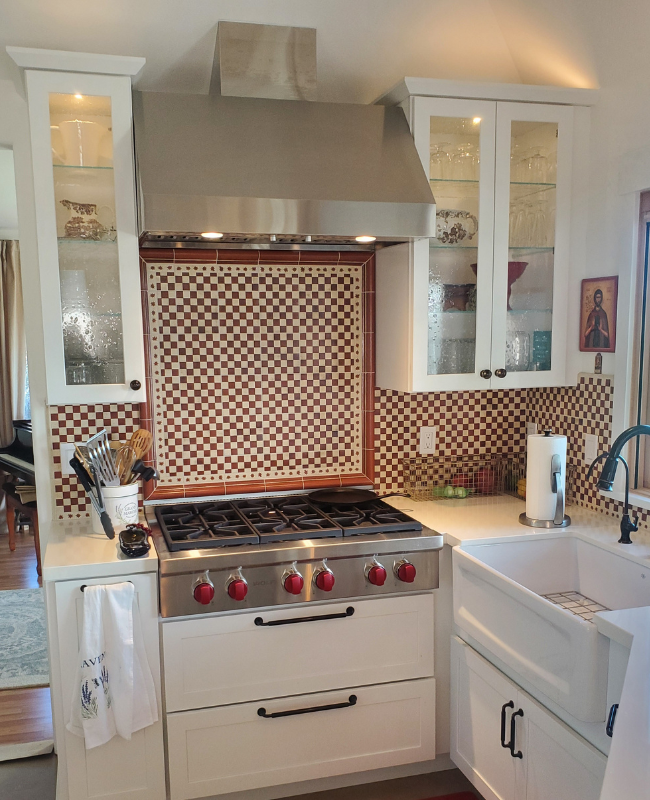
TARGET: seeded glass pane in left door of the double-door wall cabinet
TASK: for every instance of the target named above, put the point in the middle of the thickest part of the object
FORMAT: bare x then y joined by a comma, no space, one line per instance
454,177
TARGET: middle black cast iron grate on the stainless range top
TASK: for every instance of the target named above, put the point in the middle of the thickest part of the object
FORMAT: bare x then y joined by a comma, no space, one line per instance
278,519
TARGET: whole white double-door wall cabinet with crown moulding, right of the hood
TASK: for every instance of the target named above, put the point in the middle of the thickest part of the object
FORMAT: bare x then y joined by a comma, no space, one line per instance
485,304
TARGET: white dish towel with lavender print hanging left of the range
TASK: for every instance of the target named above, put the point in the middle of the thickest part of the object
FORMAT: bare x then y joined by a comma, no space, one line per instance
114,690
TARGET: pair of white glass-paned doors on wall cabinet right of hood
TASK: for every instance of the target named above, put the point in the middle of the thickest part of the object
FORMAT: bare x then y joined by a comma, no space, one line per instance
500,176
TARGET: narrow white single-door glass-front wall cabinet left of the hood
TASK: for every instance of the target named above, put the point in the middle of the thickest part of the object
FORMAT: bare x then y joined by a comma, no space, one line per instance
84,184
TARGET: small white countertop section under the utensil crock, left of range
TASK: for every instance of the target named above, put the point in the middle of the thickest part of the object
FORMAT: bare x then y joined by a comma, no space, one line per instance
75,552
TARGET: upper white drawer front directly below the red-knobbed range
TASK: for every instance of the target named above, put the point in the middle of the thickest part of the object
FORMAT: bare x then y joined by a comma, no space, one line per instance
231,659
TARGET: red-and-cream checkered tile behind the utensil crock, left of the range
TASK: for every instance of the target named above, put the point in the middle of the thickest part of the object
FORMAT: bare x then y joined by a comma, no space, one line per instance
76,424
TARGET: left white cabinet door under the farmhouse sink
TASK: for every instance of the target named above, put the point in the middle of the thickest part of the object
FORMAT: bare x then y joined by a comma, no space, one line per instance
478,694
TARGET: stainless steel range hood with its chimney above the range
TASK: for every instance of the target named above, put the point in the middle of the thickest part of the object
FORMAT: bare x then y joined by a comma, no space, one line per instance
257,157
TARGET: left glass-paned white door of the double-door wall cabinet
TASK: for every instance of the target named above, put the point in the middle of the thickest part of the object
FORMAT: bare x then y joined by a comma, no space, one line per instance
455,139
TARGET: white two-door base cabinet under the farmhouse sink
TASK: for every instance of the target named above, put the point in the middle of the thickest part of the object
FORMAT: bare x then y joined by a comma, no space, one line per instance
508,745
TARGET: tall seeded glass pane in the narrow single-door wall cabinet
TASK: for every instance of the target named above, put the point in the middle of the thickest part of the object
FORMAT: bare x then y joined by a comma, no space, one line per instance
84,196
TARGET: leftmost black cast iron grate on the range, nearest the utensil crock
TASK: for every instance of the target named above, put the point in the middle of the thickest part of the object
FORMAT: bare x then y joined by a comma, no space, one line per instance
193,526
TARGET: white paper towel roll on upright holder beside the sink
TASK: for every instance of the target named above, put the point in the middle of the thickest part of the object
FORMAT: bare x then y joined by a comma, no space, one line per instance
541,501
